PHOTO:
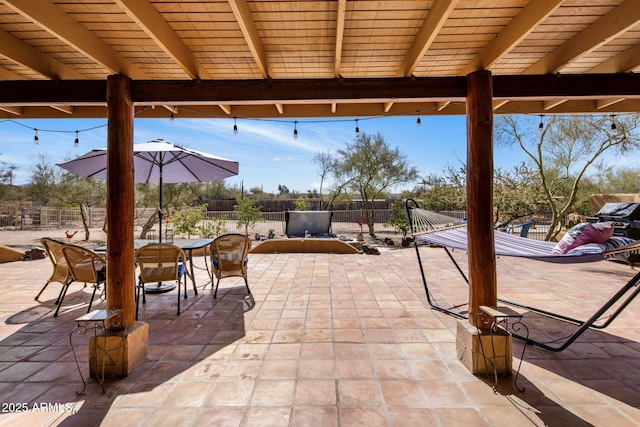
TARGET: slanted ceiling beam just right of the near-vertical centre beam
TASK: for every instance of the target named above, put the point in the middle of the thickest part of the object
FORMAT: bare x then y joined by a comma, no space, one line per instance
436,17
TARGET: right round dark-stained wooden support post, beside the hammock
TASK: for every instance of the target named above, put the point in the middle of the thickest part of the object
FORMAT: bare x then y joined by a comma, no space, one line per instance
482,259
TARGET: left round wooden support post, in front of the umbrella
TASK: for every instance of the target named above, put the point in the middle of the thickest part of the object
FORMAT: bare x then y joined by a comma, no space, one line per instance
120,202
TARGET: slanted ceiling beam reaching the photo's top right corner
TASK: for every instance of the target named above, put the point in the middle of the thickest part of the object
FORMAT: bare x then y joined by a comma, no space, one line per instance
619,20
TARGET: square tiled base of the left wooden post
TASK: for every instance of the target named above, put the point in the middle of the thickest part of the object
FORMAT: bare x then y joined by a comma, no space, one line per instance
123,353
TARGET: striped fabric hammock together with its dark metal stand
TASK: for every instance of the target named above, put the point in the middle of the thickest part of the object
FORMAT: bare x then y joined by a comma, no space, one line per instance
447,235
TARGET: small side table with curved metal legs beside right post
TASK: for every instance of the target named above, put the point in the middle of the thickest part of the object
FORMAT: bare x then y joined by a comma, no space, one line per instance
495,318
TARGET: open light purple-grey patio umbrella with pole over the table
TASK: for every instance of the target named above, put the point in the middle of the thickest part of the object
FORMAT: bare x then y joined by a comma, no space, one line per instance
158,162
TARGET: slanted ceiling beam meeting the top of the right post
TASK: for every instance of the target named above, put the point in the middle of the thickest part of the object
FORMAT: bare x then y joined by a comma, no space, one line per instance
517,30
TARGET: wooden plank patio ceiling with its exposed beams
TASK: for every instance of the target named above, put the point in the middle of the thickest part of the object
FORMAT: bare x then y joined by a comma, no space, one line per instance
236,44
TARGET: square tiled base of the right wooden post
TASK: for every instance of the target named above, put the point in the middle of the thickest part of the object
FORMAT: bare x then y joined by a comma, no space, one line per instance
470,345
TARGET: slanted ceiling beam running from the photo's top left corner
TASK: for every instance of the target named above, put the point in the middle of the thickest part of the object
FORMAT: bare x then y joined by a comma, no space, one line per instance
55,21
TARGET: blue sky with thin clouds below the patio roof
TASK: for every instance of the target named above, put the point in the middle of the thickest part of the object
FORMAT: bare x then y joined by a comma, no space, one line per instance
266,150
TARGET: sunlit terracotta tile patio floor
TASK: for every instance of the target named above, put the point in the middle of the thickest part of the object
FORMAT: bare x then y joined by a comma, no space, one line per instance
332,340
